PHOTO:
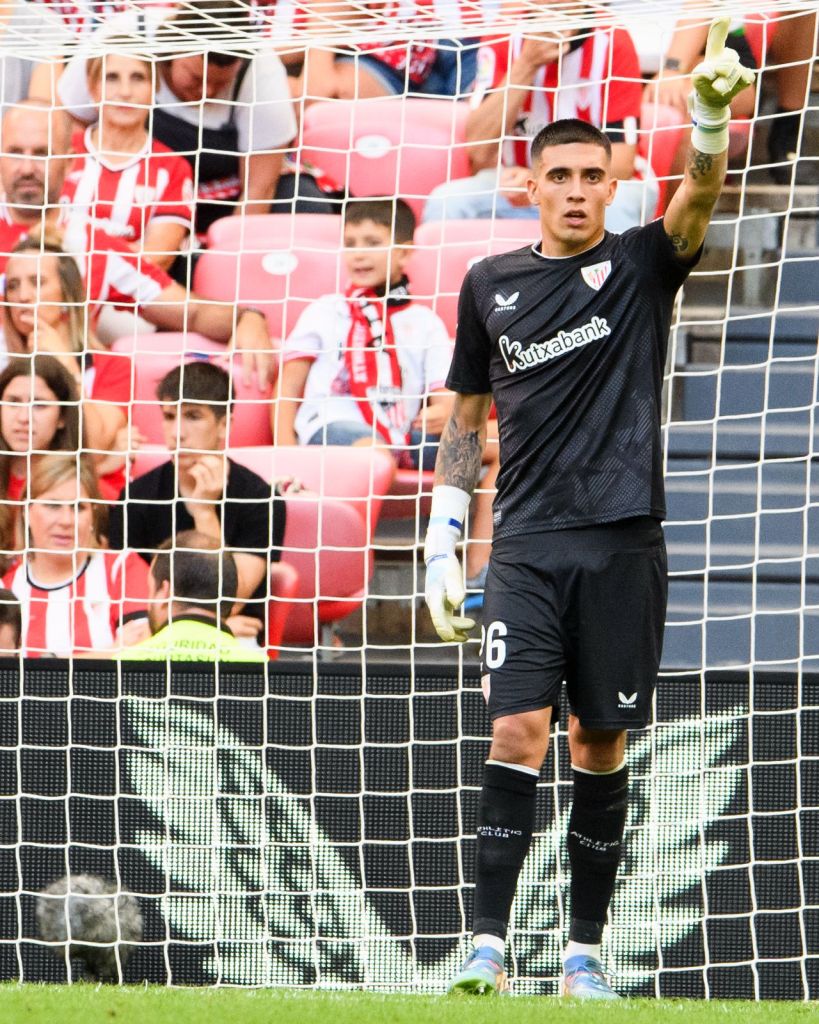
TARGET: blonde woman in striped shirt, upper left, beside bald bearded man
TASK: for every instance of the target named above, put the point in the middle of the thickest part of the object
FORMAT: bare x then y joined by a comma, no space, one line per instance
124,183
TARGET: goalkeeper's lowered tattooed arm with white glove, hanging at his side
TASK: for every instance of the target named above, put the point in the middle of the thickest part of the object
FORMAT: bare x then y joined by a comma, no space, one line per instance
457,475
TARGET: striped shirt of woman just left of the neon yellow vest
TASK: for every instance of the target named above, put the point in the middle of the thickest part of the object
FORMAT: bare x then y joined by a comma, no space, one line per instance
84,614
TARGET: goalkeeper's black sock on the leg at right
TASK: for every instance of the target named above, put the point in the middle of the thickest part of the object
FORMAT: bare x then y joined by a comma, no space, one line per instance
595,843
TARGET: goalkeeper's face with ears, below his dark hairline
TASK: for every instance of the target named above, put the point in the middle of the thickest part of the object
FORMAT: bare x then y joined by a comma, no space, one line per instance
572,186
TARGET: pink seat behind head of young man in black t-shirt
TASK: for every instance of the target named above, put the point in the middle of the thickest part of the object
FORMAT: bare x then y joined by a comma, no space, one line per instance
250,418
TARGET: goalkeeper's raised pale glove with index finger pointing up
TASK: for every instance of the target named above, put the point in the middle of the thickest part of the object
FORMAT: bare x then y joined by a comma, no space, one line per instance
717,80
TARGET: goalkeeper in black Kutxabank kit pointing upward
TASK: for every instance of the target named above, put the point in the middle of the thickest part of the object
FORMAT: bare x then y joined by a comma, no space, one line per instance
570,338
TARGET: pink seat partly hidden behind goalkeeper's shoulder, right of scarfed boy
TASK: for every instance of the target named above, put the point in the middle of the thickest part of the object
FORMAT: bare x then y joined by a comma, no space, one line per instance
445,250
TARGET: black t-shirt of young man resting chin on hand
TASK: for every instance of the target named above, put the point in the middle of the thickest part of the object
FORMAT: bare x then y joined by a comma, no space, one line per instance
150,511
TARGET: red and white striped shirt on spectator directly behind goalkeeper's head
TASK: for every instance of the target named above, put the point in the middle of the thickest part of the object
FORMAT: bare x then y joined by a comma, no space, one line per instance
599,82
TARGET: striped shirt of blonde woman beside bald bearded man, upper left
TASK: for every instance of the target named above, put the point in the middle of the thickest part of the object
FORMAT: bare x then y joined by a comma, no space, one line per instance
123,199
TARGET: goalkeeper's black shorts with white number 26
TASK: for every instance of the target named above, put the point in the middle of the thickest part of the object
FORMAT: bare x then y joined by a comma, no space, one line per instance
583,606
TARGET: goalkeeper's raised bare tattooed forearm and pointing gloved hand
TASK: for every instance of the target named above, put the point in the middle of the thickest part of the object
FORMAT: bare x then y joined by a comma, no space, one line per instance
717,80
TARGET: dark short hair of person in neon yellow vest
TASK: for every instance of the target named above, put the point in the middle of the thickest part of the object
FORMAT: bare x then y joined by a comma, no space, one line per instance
200,571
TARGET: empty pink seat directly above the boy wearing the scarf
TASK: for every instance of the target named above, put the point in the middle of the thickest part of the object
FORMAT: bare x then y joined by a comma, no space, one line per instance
393,146
